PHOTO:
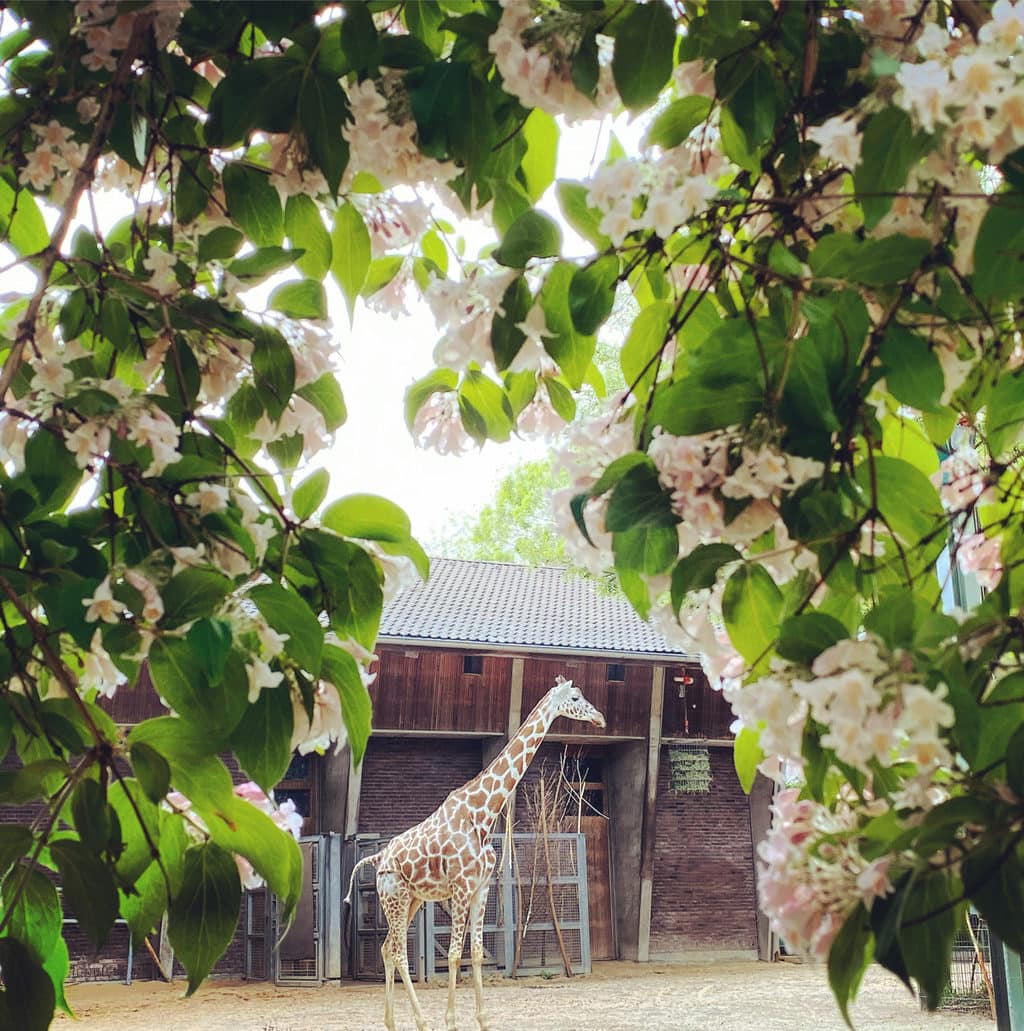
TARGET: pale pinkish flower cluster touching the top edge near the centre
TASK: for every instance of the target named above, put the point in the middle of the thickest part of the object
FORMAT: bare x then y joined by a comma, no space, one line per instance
534,50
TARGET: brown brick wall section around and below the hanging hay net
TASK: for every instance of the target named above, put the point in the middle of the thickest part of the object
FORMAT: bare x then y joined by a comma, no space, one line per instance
704,894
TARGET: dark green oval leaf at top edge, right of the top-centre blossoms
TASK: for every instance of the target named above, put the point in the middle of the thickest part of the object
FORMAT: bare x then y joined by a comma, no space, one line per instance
643,59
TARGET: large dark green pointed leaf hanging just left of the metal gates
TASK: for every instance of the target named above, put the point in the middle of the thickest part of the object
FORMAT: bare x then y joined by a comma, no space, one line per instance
205,912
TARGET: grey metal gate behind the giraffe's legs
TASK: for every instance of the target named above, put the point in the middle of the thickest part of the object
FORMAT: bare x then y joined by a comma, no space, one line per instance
518,915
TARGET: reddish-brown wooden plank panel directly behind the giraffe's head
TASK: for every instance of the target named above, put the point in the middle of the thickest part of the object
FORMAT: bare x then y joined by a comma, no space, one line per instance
626,705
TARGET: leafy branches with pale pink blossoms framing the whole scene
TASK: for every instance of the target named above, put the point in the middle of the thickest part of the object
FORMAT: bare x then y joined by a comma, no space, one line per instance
821,238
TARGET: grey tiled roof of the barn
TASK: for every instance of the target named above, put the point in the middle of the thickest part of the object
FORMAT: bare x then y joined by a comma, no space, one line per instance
503,605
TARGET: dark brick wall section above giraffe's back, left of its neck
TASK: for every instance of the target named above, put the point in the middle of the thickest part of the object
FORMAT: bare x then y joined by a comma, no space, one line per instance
406,779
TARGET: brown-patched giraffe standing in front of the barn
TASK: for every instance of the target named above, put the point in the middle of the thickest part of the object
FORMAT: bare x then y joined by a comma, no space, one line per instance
449,856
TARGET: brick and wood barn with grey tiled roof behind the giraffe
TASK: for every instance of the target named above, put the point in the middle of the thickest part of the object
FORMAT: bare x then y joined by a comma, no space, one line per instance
670,836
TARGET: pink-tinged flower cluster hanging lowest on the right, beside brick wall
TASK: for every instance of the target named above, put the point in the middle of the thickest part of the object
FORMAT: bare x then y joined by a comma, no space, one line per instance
812,874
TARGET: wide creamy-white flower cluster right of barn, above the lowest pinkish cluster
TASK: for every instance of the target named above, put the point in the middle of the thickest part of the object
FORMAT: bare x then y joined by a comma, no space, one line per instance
870,704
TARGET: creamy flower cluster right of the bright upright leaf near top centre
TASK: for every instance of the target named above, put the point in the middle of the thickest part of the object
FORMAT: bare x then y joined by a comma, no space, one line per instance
668,191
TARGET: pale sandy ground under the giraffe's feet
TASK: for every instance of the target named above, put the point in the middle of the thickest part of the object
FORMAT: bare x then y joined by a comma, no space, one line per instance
724,997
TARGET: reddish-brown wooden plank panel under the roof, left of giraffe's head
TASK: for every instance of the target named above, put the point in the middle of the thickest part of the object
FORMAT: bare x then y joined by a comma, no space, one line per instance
428,691
